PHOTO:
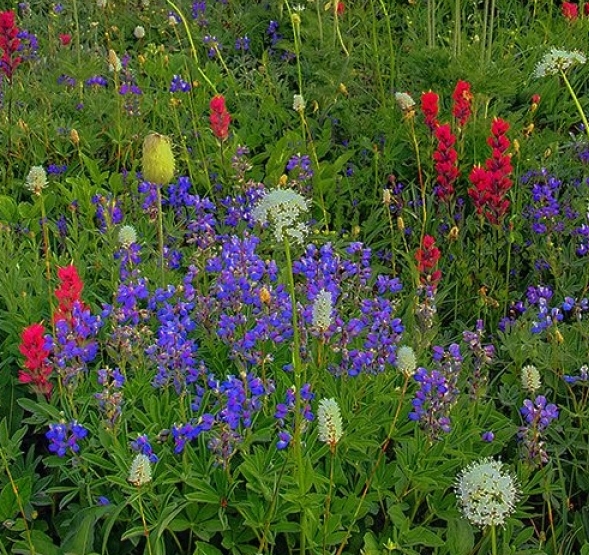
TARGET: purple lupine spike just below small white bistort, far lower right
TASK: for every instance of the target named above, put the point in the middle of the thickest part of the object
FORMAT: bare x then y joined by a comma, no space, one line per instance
538,415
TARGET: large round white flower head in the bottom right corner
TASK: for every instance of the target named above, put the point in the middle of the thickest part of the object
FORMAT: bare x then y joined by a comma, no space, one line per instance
486,494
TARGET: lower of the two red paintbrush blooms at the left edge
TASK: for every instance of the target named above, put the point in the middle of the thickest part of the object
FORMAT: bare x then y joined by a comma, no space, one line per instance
37,369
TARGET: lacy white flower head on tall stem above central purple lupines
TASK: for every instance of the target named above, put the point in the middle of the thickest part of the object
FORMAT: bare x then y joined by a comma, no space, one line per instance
282,209
